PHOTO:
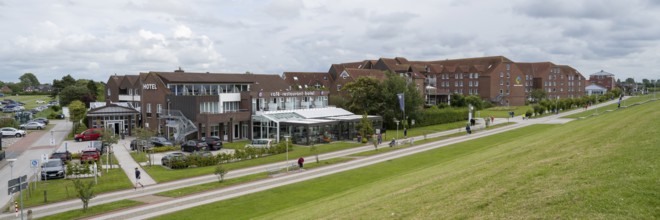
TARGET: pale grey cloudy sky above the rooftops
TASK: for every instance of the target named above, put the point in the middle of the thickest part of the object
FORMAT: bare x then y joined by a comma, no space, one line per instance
96,39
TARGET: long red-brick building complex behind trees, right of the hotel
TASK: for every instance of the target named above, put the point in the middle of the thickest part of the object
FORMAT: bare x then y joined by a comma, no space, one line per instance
496,79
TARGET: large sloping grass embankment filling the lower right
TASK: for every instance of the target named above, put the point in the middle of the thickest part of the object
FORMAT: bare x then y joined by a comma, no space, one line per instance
602,167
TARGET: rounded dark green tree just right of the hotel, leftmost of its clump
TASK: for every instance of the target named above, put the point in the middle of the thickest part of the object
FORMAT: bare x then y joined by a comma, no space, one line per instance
364,95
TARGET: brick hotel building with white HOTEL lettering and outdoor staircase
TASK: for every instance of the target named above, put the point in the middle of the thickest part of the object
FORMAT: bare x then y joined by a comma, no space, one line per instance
182,105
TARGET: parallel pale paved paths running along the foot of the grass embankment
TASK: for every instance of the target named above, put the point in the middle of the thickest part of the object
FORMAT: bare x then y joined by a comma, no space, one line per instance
176,204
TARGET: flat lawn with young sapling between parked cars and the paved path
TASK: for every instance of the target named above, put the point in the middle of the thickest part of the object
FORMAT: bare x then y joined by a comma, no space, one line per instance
63,189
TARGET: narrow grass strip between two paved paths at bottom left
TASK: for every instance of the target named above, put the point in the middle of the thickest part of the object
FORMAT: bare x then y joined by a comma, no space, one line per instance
94,210
